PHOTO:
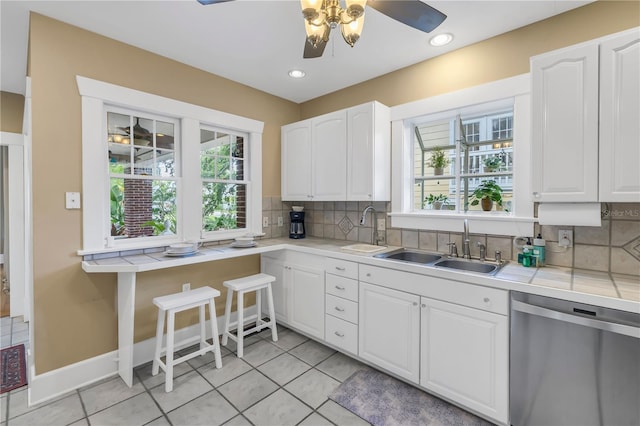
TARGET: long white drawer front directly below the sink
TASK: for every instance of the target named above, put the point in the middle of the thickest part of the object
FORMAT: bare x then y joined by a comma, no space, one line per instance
471,295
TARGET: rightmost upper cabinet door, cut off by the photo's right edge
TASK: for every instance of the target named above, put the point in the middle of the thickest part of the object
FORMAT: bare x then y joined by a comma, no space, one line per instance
619,124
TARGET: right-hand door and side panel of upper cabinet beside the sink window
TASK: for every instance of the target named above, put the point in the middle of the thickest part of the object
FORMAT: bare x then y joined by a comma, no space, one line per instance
368,153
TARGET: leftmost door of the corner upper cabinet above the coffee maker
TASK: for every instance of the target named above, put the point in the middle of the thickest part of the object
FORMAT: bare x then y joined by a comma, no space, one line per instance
296,161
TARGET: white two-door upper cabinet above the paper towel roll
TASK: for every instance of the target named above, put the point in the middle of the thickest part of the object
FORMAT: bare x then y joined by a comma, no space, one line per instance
575,159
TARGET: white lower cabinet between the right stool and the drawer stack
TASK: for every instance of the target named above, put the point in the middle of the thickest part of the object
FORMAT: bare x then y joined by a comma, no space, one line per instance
298,292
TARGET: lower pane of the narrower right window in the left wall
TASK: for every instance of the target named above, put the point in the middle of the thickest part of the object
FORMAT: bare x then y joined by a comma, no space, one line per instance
223,206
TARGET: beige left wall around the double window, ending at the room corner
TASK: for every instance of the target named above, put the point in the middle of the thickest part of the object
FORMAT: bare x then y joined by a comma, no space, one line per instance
74,312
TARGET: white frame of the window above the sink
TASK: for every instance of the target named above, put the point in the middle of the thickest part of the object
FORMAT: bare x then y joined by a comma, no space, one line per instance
516,91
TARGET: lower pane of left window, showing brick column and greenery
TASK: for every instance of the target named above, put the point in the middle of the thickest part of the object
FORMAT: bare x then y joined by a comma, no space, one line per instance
142,207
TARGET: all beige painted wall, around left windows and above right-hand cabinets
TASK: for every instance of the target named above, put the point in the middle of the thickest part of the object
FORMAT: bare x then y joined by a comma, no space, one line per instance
76,310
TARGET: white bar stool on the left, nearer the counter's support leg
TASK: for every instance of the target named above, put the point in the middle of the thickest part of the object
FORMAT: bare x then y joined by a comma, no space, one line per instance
178,302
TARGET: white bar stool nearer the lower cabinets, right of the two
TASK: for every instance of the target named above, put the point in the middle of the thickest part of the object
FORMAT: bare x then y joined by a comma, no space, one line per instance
241,286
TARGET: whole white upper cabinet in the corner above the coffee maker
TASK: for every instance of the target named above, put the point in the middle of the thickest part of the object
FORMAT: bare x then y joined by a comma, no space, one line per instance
343,155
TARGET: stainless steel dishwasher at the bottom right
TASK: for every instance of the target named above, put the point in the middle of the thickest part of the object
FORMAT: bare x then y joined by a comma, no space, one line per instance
573,364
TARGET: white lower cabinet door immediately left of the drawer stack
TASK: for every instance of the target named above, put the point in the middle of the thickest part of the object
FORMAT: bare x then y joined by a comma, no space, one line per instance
306,304
